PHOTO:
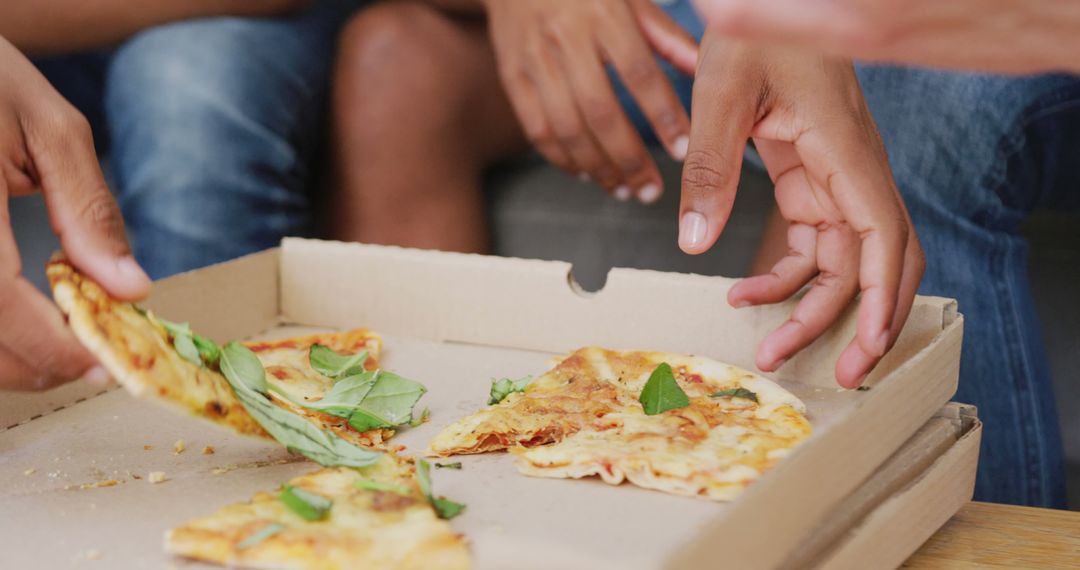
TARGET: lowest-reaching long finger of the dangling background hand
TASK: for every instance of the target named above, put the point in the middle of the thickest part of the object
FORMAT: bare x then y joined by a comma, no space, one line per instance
607,123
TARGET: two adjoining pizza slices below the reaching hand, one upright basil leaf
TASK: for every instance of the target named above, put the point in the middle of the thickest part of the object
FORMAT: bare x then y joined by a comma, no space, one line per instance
721,429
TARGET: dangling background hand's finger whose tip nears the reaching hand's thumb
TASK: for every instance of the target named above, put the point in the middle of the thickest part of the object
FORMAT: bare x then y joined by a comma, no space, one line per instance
647,84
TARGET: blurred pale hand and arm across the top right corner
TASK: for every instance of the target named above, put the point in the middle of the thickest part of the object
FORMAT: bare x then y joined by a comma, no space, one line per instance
987,35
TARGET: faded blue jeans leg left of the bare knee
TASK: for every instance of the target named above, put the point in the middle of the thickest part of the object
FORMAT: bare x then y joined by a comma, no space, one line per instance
212,130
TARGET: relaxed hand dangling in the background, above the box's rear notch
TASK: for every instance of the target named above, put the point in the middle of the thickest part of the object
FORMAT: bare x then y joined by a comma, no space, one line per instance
552,56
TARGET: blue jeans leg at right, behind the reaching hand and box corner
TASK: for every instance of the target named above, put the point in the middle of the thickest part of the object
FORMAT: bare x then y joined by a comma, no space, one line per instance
974,156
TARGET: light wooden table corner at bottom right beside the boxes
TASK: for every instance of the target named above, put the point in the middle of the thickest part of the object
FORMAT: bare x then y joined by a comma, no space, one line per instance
993,536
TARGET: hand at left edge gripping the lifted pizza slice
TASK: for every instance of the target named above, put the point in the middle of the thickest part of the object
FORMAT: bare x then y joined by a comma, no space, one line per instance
46,145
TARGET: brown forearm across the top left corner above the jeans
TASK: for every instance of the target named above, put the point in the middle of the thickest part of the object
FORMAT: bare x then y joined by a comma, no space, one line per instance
50,26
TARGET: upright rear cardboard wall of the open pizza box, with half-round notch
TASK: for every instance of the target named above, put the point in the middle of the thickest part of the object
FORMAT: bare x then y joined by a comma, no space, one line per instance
535,305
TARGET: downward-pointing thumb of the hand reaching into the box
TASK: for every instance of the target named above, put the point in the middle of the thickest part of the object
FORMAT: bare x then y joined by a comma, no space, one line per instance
725,103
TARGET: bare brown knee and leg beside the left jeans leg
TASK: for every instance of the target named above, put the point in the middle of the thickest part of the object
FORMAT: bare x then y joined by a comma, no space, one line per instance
418,116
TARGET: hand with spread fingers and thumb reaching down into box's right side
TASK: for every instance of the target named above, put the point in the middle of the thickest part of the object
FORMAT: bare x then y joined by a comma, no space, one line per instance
848,229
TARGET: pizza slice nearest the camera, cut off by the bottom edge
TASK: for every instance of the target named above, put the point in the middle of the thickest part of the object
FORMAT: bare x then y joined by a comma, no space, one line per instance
375,518
